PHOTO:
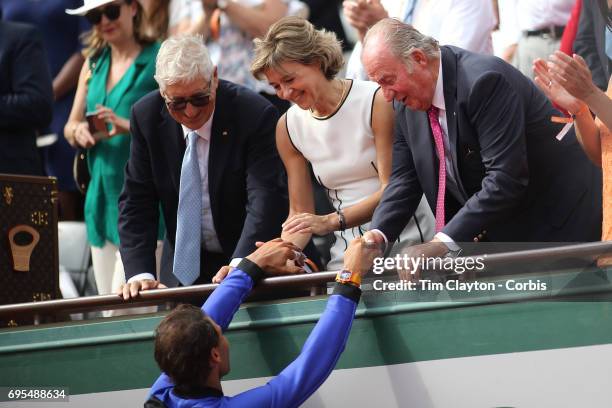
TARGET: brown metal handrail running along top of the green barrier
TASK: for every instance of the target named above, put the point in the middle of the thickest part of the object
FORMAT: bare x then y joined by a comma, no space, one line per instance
159,296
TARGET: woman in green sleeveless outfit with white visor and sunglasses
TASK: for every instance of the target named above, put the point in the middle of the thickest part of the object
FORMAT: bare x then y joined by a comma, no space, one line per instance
118,71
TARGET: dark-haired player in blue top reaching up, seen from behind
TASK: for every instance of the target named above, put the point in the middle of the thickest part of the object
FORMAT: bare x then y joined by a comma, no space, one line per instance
193,353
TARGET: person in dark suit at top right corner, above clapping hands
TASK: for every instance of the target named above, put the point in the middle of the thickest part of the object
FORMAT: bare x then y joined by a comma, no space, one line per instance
594,43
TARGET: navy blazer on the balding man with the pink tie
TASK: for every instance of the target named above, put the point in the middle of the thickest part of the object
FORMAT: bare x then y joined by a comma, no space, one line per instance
517,181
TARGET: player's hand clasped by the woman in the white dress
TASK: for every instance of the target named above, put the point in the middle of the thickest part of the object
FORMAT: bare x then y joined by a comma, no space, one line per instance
272,257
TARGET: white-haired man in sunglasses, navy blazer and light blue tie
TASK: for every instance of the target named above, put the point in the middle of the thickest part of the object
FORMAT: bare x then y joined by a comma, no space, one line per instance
204,149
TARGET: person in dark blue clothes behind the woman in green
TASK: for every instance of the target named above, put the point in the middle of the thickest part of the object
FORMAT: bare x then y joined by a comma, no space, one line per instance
61,39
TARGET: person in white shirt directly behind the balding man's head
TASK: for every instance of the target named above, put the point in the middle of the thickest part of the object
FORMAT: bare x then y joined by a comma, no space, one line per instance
463,23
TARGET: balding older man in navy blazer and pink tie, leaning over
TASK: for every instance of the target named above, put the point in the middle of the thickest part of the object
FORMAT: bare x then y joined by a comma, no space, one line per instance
504,177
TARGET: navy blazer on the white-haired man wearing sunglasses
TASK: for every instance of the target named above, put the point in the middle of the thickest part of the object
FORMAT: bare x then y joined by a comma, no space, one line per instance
247,196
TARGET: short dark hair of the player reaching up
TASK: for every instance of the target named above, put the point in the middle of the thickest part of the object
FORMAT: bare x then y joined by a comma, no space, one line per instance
183,342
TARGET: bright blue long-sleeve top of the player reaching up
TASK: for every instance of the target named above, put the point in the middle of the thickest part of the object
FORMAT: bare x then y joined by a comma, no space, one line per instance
297,381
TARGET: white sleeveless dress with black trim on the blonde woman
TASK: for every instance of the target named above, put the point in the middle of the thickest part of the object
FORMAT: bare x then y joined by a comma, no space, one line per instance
341,150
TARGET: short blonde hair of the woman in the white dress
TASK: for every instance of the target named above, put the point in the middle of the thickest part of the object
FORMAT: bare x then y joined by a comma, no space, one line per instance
293,39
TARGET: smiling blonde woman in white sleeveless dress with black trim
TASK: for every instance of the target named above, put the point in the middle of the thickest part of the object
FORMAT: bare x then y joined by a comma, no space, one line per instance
343,128
